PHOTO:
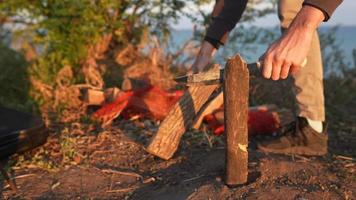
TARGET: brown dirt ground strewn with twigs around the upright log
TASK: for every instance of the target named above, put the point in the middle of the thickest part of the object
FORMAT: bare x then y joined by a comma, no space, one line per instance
114,165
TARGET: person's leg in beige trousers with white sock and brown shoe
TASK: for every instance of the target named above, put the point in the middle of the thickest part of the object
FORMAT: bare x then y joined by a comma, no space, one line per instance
308,136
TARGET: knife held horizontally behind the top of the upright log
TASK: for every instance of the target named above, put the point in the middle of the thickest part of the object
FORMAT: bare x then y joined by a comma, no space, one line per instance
216,76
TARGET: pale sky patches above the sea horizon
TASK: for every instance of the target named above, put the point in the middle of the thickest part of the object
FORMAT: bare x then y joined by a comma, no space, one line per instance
345,15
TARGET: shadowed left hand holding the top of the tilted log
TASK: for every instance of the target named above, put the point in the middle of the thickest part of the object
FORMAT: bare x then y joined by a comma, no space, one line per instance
204,57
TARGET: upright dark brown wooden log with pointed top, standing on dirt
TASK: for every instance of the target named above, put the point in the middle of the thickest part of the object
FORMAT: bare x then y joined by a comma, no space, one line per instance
236,88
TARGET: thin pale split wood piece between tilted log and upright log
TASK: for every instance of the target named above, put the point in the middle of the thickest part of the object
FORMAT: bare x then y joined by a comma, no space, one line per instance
215,103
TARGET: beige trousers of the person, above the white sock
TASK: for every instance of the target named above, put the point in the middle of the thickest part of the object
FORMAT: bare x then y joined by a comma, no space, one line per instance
308,82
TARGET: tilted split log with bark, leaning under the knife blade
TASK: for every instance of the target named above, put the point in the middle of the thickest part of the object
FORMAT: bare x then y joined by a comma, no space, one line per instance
165,142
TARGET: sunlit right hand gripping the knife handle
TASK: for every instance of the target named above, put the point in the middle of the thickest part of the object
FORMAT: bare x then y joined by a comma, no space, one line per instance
286,55
